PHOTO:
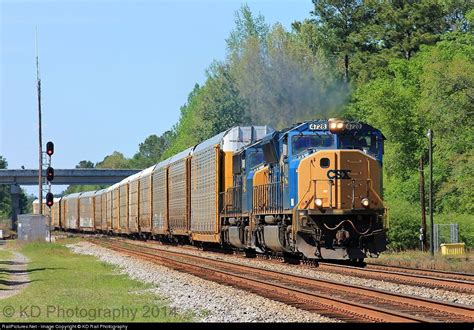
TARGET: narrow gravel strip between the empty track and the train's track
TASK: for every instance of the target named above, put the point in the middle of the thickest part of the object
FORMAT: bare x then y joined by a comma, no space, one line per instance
438,294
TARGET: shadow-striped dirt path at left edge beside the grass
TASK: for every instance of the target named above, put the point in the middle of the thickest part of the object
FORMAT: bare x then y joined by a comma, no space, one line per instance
16,275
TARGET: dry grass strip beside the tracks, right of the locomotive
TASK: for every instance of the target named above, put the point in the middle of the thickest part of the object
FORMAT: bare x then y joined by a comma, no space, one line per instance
418,259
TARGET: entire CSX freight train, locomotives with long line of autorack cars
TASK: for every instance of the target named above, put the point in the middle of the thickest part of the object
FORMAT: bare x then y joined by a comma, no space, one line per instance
311,191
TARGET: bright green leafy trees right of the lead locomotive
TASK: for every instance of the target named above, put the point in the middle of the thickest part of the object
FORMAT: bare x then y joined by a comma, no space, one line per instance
433,90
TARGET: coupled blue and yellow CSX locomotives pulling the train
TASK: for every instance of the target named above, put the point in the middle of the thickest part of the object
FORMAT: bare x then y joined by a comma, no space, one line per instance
314,190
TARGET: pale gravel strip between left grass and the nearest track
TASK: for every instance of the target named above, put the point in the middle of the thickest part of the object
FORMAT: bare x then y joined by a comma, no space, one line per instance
210,301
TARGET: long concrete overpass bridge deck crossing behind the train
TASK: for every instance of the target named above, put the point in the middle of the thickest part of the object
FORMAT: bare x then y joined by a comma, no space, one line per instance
66,176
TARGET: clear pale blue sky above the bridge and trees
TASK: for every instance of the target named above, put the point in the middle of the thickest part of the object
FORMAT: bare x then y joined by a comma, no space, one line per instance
113,72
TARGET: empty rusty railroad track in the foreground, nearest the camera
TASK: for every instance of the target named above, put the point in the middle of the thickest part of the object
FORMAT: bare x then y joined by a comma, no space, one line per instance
345,302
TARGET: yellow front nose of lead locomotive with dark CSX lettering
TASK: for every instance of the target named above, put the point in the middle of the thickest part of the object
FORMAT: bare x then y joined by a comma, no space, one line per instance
339,180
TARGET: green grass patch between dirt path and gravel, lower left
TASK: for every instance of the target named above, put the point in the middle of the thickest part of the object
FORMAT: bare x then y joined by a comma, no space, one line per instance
67,287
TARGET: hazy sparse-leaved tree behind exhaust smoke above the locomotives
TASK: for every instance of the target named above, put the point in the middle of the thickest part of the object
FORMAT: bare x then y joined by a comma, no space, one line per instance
280,77
